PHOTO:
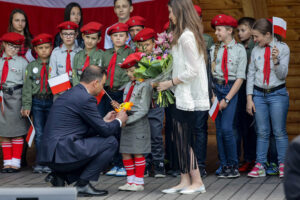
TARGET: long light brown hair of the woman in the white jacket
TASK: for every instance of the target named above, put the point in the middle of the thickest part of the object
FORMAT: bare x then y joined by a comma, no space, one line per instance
187,17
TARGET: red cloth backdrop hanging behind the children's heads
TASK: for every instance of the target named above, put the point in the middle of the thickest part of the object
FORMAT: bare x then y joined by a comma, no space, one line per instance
45,19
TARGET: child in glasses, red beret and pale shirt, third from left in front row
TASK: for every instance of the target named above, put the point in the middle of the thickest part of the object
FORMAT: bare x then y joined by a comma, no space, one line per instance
61,60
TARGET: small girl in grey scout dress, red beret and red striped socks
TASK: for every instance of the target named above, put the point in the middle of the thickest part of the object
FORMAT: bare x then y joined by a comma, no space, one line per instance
135,137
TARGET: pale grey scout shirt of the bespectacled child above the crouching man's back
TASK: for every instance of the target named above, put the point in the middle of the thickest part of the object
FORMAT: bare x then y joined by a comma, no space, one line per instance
58,60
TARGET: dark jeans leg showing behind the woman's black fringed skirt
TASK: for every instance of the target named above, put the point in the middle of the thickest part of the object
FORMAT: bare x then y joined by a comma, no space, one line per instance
200,137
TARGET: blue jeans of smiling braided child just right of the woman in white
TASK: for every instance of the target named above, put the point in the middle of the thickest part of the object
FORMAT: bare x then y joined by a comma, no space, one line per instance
226,140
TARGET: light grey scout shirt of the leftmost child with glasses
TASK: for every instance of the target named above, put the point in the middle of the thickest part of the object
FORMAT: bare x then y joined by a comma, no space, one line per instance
16,74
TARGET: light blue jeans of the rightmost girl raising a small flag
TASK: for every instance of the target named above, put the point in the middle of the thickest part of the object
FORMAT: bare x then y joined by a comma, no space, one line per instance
271,110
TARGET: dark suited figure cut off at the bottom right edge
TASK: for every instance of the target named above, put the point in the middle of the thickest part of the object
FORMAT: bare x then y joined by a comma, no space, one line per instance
292,171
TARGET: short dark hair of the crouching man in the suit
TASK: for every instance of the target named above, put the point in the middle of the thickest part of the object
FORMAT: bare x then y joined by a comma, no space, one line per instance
92,73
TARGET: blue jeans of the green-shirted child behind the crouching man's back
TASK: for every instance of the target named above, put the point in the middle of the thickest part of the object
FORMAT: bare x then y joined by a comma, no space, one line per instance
40,110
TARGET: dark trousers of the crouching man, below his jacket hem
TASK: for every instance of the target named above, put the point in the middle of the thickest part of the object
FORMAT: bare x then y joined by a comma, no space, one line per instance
88,169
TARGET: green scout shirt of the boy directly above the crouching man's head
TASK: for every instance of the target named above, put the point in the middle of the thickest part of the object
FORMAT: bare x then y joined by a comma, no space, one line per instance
79,61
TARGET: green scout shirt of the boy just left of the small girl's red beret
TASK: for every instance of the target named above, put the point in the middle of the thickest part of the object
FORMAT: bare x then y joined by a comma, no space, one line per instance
120,76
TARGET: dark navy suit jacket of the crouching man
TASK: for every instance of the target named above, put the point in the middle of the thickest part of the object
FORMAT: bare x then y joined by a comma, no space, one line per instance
75,131
